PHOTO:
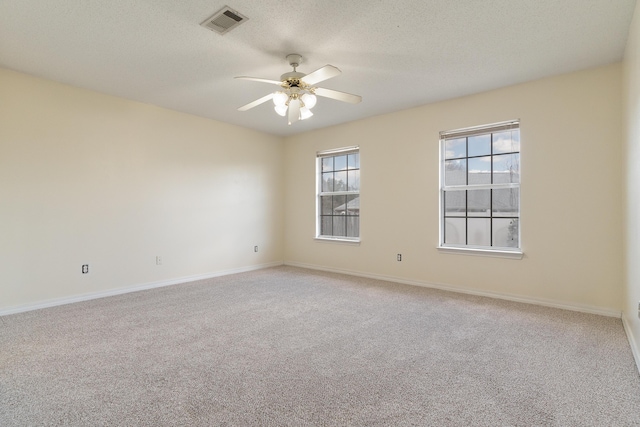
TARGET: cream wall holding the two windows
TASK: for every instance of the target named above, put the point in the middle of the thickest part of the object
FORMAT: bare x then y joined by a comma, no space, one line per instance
571,193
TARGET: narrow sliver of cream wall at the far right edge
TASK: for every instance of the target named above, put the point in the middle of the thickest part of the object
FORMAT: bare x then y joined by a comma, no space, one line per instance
632,156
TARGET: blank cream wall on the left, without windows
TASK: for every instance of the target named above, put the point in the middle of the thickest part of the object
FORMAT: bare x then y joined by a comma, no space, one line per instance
89,178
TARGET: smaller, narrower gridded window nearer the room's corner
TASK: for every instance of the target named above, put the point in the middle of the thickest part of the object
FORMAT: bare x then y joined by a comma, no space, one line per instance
338,203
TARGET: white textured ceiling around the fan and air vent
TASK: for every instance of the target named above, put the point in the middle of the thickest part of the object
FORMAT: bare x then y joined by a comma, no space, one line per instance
396,54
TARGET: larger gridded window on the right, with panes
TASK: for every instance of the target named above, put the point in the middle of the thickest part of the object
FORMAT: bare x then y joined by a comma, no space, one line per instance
480,188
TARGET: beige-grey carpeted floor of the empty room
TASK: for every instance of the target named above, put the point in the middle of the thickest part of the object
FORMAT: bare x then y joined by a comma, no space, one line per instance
292,347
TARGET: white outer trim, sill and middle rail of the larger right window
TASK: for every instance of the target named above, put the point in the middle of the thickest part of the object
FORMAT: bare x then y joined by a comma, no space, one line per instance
517,253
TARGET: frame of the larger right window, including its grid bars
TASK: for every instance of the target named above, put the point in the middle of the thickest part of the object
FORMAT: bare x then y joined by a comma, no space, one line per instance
466,248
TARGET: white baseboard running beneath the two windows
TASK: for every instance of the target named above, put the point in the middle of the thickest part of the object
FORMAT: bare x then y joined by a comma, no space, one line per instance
537,301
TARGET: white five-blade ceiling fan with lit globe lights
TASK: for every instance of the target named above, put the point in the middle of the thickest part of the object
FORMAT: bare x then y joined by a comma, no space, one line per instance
297,95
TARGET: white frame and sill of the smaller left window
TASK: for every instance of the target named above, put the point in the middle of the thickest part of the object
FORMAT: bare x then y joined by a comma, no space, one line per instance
320,155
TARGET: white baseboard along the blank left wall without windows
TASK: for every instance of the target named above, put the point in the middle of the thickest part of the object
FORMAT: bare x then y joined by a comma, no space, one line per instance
134,288
